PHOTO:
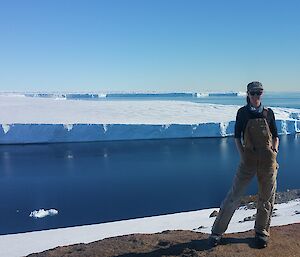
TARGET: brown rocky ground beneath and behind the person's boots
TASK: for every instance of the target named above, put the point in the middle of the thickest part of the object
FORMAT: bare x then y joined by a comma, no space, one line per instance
284,242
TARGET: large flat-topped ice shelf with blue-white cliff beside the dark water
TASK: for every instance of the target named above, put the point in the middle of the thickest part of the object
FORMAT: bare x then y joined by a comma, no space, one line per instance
45,120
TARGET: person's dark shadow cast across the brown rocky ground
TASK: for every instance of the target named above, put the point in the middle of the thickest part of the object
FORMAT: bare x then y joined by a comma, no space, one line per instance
192,246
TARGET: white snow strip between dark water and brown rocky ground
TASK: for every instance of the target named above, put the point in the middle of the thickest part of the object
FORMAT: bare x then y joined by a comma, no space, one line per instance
16,245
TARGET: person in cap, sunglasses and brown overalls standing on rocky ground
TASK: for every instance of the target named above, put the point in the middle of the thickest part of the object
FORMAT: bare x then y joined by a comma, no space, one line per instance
257,142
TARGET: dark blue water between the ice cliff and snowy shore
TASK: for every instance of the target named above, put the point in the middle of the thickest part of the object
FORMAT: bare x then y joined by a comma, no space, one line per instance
99,182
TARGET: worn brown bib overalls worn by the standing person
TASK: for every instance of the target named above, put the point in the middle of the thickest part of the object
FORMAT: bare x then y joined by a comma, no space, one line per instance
258,159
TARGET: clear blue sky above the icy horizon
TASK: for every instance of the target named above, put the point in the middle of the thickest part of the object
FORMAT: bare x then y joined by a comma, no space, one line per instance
165,45
